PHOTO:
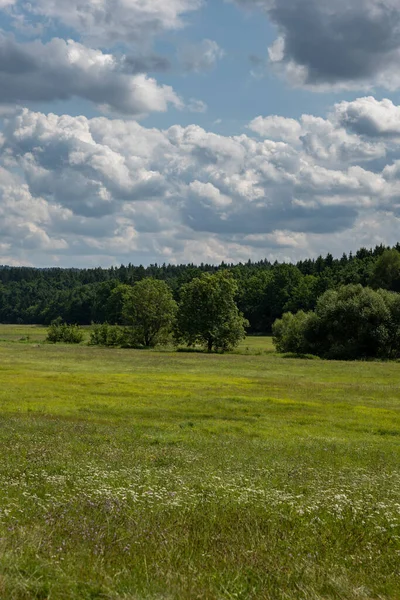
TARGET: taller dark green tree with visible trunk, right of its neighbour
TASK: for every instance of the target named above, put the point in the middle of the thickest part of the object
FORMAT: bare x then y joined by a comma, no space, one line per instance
208,314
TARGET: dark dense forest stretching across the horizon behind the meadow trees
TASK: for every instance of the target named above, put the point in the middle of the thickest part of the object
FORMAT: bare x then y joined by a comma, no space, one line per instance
265,291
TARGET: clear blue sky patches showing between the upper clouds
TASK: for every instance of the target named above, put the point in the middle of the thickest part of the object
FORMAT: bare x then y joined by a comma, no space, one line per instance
235,90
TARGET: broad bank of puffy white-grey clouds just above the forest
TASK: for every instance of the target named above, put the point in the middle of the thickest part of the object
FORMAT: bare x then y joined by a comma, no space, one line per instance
114,189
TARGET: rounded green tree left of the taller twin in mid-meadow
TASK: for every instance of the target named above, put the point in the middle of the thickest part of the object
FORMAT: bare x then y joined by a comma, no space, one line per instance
149,309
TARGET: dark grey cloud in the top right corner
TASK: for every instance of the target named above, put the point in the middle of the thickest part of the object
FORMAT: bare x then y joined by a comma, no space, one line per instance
346,44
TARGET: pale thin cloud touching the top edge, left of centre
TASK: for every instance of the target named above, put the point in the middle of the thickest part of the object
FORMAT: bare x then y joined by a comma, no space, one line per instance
105,22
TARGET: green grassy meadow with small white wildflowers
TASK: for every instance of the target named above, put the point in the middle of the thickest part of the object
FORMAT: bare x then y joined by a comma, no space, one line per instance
144,475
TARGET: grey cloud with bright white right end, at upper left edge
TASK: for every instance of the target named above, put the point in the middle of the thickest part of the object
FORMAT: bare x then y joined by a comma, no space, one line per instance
63,69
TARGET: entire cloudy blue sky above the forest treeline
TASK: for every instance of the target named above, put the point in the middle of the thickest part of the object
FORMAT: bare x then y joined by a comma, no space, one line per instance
179,131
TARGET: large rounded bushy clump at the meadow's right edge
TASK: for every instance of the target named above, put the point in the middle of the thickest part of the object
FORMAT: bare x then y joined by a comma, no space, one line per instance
349,323
